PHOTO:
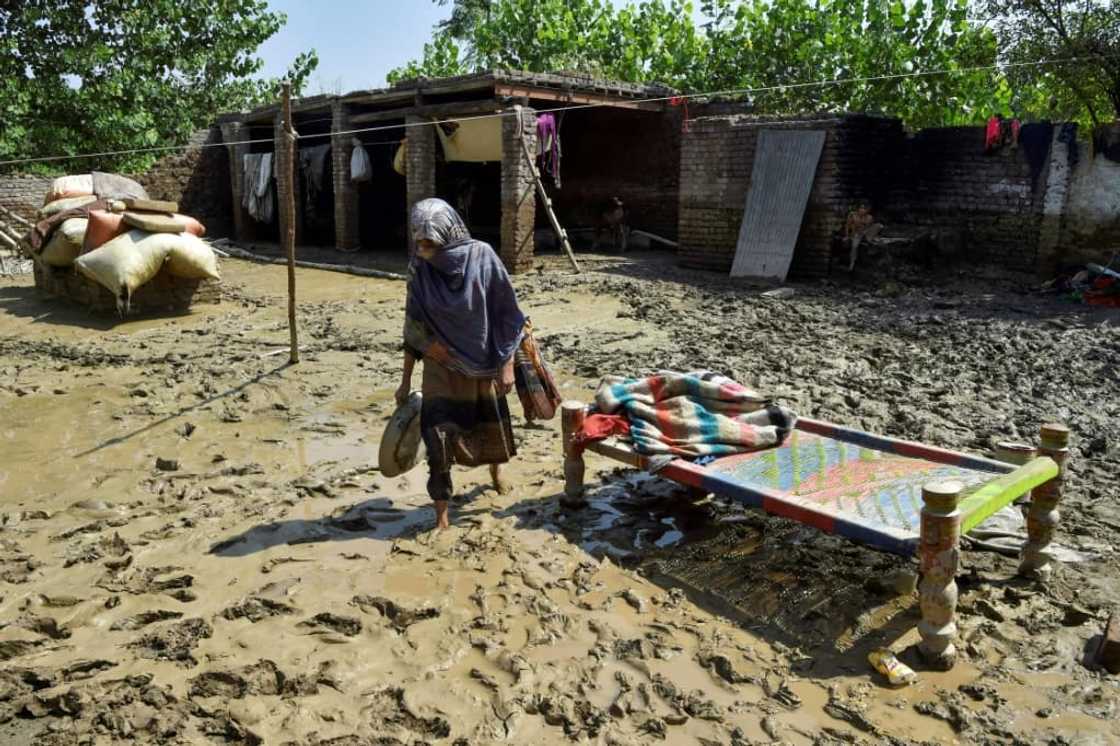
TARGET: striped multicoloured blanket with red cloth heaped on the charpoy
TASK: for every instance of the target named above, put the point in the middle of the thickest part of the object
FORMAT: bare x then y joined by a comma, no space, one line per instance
689,416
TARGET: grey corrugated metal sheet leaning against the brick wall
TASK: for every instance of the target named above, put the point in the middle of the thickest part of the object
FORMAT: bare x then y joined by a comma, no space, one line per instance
781,180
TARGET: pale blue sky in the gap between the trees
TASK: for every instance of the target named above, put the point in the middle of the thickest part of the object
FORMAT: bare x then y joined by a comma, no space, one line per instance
358,41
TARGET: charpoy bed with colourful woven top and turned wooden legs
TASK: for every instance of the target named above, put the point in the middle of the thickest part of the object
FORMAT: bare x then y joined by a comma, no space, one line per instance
895,496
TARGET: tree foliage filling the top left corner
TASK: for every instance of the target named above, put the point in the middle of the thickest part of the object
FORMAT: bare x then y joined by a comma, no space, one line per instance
124,74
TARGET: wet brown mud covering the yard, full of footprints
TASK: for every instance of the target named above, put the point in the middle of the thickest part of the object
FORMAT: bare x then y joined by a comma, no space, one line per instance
197,547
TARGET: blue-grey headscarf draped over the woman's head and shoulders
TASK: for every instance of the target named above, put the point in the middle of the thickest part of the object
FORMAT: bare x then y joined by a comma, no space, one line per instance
462,310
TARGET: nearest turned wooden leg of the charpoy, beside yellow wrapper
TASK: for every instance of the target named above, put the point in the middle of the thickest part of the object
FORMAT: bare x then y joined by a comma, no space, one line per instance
940,555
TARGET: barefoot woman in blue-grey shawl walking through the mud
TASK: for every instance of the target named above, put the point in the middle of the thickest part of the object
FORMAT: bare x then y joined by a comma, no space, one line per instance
463,321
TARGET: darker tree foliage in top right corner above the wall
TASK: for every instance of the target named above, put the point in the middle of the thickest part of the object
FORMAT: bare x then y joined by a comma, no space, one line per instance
1086,32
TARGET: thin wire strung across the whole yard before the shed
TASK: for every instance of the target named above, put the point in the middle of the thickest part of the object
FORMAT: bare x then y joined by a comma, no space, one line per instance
684,97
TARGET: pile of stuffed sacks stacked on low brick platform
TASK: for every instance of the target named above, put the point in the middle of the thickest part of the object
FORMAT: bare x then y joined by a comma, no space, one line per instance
107,228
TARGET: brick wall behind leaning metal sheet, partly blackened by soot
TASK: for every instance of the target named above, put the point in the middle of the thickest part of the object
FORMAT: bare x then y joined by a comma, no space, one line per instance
940,179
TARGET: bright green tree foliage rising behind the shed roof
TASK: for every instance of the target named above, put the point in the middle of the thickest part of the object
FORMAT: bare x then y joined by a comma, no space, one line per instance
768,49
